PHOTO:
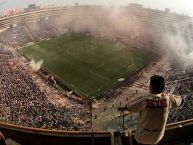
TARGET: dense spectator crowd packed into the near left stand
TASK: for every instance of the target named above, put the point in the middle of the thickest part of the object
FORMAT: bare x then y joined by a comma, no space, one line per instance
25,103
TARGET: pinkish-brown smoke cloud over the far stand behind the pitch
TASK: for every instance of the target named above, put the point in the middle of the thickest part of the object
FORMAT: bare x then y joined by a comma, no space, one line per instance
114,23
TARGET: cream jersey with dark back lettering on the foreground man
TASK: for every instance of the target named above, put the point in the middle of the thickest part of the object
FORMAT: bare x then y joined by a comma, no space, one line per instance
153,113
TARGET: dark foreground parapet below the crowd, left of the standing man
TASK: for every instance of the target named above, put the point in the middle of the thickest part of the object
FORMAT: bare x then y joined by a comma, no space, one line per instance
37,136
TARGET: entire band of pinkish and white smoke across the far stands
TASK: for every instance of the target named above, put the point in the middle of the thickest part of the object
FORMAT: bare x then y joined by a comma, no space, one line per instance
133,28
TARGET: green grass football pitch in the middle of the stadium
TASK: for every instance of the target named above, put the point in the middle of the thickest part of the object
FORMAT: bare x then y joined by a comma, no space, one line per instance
86,64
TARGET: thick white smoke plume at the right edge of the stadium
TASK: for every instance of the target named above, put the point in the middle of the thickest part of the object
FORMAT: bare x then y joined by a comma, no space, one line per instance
179,44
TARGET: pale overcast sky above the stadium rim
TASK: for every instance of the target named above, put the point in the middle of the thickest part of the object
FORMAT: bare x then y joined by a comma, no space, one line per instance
178,6
